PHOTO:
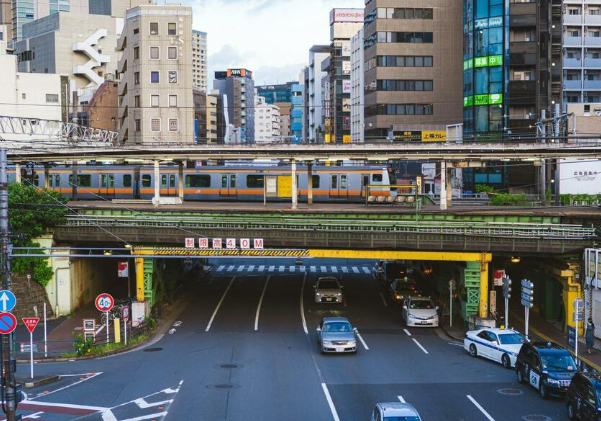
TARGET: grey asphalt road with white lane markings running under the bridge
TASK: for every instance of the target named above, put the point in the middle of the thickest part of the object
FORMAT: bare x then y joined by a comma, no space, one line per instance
242,353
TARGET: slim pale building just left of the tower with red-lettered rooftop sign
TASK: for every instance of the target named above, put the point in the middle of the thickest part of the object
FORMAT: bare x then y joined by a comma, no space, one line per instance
314,129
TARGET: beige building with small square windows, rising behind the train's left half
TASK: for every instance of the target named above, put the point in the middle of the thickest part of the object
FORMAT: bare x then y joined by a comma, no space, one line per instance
155,92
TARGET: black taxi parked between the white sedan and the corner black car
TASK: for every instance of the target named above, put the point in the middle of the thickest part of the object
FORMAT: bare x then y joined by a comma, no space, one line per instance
547,366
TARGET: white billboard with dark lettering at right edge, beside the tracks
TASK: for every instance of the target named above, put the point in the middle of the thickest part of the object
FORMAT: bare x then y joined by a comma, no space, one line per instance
579,176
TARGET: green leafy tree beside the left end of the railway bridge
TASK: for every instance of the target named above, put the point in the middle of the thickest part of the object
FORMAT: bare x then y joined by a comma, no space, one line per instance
32,213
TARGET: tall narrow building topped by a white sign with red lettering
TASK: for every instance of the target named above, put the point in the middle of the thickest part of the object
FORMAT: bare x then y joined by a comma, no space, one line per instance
344,24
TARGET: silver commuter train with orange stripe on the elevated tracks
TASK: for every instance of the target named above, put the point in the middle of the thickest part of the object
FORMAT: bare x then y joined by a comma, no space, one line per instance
238,182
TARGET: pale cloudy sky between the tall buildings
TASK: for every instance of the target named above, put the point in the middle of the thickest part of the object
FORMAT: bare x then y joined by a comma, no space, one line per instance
269,37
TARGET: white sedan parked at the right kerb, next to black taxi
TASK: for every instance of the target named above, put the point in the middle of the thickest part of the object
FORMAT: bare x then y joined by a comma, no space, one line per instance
500,345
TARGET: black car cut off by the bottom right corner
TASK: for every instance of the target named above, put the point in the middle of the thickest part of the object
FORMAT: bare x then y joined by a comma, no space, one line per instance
583,399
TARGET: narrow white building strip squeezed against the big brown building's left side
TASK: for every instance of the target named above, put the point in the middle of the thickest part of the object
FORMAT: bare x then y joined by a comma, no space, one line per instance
357,87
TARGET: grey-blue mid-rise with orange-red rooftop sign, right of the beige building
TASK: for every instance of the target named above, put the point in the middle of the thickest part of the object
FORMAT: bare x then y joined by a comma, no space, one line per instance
238,91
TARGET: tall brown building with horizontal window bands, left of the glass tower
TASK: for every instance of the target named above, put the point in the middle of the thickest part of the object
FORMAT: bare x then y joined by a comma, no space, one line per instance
412,67
